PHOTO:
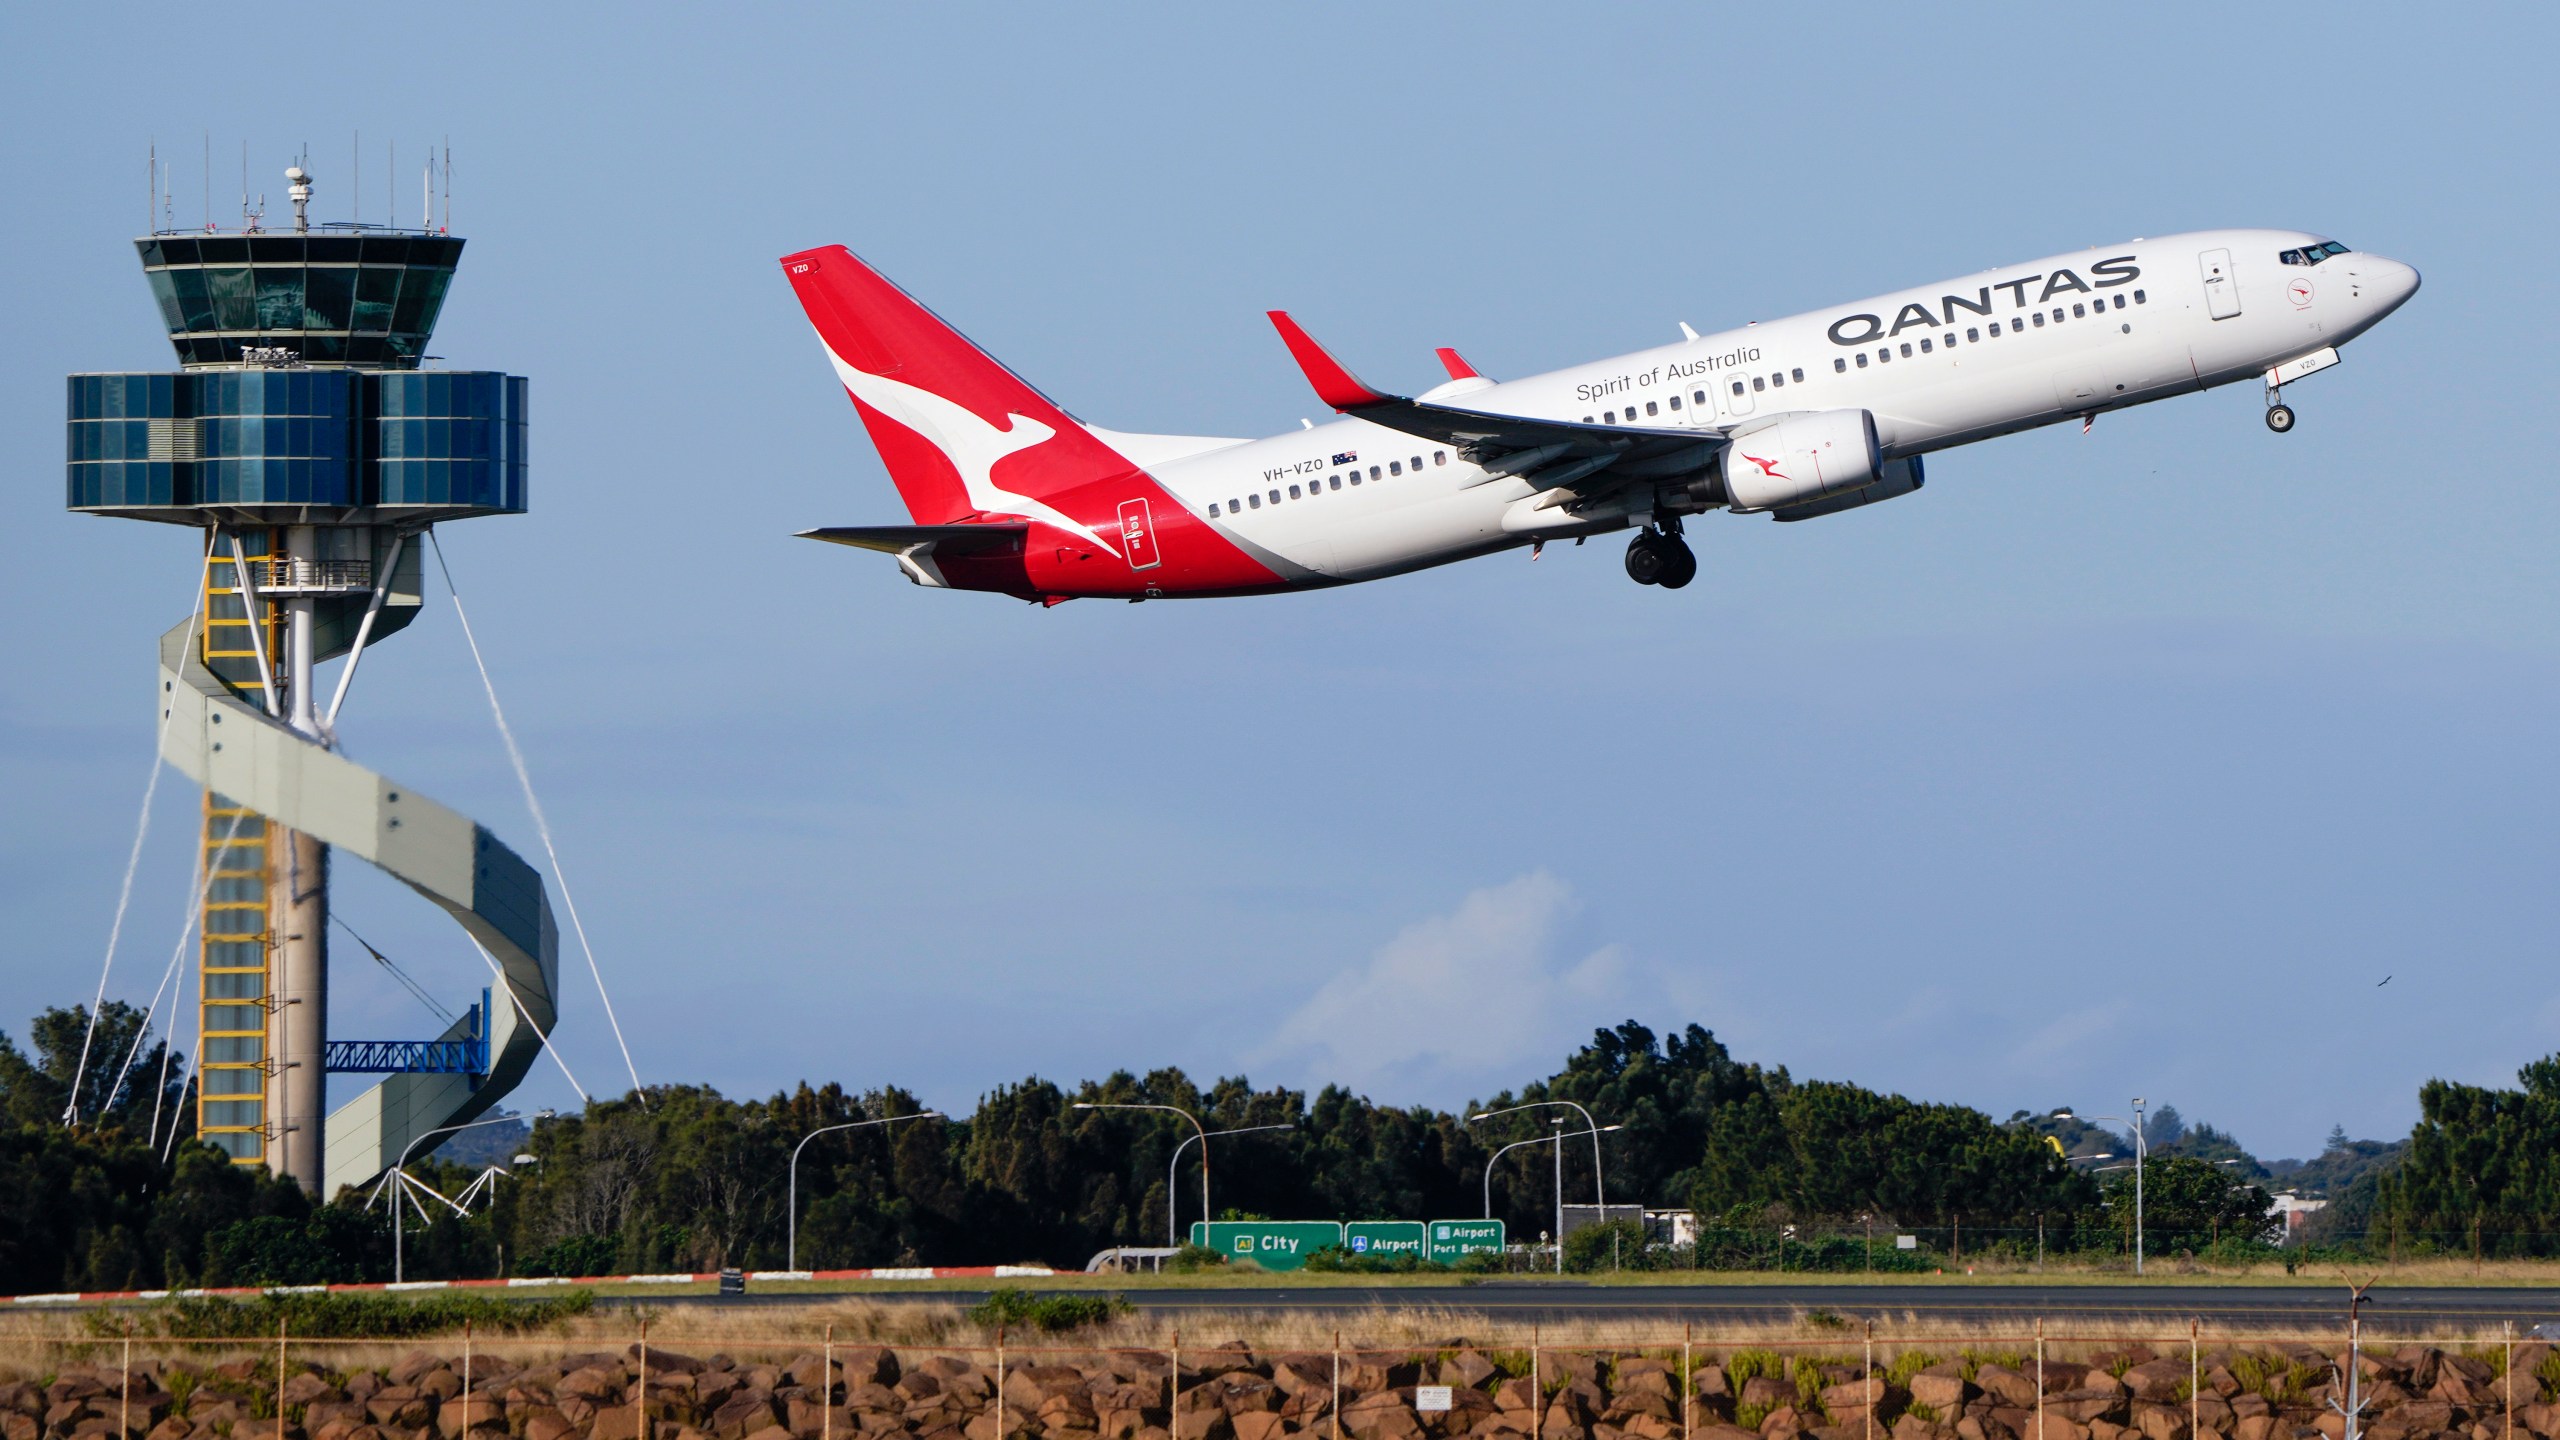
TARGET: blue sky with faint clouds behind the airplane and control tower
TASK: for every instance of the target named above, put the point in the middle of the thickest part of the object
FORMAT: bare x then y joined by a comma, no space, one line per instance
2113,765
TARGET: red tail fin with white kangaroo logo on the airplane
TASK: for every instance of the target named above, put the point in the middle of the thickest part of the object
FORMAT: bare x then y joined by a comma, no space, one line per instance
961,437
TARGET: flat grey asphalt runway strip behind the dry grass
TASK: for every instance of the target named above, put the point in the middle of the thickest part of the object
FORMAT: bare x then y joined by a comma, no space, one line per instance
2310,1308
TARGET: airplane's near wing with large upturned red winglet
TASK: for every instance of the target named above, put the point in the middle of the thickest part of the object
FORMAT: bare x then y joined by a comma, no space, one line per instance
1553,452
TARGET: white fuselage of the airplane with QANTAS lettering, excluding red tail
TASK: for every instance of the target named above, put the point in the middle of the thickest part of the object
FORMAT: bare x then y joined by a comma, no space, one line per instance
1939,365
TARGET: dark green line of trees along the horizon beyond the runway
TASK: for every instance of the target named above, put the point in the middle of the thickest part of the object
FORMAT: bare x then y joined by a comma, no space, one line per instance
687,1180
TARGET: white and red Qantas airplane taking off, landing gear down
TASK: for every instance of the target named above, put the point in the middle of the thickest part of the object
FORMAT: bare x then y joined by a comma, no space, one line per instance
1786,419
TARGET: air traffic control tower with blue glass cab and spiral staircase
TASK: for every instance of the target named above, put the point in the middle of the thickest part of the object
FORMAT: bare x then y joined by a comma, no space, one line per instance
308,450
